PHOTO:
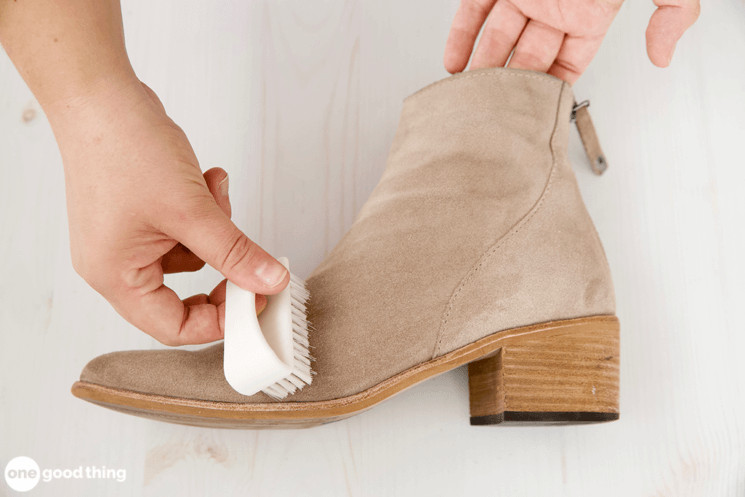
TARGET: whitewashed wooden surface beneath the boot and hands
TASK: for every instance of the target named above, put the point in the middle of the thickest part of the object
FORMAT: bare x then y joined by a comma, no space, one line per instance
299,101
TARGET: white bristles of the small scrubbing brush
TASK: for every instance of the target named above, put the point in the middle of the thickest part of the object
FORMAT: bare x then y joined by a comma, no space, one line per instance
302,374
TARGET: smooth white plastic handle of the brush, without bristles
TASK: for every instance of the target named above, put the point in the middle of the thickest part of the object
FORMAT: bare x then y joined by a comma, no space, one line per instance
258,351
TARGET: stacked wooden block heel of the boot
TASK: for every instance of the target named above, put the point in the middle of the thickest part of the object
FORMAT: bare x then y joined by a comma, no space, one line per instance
561,375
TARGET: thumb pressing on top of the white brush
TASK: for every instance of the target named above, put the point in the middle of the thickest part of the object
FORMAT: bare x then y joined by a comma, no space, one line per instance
213,237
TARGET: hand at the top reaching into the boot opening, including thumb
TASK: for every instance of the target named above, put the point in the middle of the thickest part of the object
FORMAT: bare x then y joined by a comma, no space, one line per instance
559,37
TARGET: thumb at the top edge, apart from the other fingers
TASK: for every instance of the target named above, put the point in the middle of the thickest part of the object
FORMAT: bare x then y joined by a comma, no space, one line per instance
667,24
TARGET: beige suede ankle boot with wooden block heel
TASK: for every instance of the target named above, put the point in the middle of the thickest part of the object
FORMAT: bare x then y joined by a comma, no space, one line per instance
475,248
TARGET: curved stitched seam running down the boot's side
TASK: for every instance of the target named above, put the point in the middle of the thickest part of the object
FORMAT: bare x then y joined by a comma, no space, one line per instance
507,236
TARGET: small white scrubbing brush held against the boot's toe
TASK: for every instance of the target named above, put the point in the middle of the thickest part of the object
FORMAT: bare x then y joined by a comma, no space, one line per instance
269,353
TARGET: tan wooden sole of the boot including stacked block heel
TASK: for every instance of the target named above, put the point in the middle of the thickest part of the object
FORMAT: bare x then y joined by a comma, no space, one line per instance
558,372
